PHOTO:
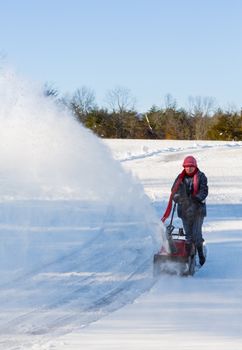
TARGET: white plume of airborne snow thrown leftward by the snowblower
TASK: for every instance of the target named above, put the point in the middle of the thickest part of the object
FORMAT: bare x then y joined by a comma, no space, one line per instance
46,154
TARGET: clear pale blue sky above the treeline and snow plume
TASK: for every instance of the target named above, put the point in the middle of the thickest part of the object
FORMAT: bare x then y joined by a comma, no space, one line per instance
152,47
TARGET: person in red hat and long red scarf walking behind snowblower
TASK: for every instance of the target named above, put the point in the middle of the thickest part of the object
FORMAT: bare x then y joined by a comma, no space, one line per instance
189,191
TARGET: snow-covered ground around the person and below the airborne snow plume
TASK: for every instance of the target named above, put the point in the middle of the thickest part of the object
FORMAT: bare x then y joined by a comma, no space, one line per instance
99,261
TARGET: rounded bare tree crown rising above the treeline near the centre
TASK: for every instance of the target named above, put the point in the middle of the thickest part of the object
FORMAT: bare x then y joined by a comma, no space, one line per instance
120,100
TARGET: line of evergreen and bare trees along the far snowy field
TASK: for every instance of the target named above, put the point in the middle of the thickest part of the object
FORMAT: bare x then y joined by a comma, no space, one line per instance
201,121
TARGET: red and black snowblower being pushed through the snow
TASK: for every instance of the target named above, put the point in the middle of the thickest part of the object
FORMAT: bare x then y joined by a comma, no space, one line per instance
178,256
